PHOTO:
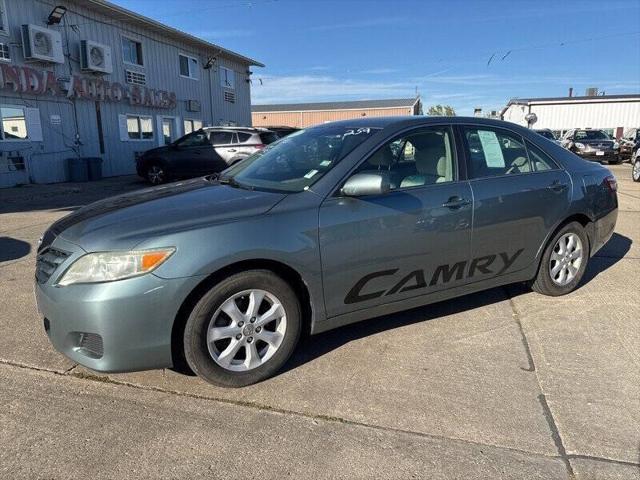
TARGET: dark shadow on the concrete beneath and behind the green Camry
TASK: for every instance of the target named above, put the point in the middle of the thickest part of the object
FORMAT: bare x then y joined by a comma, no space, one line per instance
312,347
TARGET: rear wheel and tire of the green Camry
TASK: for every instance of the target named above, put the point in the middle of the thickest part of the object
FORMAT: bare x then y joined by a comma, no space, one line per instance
551,282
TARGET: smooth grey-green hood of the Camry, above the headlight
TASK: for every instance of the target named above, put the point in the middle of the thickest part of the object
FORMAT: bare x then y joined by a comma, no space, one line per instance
121,222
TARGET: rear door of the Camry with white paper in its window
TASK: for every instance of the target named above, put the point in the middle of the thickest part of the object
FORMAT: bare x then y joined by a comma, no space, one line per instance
519,194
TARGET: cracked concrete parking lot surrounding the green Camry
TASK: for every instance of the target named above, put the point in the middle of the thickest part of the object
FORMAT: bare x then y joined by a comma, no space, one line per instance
501,384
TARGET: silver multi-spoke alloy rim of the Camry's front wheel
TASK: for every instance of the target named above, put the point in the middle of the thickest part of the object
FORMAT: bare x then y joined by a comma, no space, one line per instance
246,330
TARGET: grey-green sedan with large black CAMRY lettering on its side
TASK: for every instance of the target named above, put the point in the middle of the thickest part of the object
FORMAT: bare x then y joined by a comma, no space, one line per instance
338,223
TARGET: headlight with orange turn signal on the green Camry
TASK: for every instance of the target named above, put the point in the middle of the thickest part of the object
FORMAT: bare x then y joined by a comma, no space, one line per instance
110,266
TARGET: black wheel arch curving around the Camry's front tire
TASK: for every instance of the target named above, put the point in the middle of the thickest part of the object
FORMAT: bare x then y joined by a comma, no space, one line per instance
286,272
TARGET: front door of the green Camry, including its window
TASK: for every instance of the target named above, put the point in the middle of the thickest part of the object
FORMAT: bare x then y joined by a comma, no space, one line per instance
409,242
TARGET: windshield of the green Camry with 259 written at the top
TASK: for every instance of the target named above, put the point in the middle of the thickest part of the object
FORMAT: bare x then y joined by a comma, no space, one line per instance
297,161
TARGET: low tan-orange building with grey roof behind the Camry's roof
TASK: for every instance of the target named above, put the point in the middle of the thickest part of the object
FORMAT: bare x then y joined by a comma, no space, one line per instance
302,115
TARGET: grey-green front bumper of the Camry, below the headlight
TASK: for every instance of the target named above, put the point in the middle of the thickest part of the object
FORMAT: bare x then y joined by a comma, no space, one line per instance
113,327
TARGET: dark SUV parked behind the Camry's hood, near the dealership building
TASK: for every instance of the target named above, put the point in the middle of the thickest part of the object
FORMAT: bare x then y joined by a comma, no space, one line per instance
205,151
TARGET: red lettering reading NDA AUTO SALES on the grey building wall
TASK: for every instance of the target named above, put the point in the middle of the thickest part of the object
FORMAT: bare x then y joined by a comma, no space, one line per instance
26,80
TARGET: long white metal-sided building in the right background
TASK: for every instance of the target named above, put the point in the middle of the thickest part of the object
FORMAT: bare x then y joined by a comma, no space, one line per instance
613,113
